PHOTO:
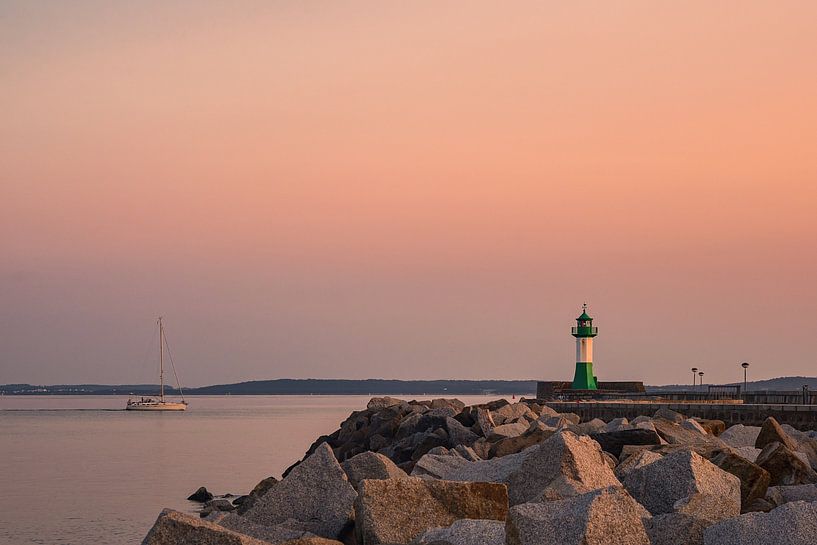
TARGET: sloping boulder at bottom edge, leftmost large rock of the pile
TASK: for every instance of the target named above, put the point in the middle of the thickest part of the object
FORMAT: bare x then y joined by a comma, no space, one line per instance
174,528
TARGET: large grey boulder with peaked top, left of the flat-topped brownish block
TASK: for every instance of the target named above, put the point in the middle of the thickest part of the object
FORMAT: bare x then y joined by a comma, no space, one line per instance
317,491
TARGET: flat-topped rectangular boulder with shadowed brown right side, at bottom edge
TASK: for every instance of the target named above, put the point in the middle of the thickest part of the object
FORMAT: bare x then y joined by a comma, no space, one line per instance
399,510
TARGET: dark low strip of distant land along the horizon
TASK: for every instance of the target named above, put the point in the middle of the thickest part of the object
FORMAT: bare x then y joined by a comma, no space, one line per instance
357,387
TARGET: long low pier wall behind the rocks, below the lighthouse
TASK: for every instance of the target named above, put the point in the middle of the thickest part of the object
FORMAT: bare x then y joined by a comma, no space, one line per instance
802,417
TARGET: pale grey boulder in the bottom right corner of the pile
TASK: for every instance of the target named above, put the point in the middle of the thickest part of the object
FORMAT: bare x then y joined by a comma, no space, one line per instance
794,523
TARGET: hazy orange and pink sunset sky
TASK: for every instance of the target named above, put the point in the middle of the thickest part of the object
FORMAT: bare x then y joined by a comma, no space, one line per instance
406,190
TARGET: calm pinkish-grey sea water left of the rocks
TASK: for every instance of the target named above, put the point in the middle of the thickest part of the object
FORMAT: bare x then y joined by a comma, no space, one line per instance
79,470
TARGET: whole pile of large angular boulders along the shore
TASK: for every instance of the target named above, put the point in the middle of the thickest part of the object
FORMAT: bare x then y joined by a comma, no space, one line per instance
438,472
